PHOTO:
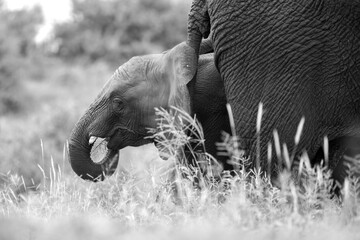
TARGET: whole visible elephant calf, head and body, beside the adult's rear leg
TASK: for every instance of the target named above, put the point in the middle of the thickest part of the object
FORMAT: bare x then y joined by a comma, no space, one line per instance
124,109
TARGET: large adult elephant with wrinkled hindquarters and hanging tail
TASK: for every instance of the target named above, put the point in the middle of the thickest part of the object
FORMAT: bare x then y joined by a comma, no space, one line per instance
299,58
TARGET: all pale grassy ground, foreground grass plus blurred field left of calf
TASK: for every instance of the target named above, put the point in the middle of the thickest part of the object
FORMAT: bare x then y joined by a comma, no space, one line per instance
139,201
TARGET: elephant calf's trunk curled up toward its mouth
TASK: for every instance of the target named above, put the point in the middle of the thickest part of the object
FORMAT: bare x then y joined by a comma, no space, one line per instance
80,155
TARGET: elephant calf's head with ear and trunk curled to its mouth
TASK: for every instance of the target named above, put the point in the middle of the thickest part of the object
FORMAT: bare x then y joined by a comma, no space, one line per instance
124,109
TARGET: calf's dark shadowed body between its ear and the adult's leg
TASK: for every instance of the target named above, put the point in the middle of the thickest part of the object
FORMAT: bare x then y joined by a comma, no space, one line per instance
209,105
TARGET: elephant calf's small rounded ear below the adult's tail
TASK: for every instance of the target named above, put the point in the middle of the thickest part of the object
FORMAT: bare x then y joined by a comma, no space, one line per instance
182,62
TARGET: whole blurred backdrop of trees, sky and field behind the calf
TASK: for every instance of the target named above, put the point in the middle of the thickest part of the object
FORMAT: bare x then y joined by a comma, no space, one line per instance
54,58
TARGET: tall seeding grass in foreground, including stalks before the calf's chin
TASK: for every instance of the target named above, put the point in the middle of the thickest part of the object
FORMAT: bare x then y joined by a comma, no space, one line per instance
166,204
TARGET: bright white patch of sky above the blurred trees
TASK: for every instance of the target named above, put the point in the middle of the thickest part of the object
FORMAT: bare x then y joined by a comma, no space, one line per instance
53,10
